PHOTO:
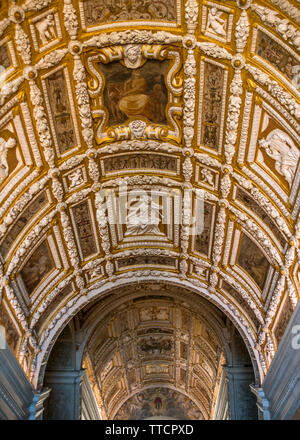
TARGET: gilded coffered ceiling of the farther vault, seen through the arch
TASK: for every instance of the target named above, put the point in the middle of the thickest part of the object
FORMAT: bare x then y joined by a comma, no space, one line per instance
161,345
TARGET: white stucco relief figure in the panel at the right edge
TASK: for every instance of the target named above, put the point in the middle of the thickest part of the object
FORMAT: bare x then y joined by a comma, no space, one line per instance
280,147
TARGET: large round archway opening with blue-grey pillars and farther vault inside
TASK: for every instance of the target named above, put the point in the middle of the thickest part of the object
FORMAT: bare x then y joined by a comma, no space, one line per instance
146,346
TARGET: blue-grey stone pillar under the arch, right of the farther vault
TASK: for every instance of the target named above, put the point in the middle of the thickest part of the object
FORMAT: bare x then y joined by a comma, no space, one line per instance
242,405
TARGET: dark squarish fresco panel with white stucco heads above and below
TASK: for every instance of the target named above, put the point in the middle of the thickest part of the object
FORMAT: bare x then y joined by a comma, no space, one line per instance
133,92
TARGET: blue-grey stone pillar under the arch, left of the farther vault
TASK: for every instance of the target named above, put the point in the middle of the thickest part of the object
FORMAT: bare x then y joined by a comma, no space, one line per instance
64,402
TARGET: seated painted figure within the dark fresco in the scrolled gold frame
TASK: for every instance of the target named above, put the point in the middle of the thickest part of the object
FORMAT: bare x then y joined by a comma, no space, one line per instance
135,101
